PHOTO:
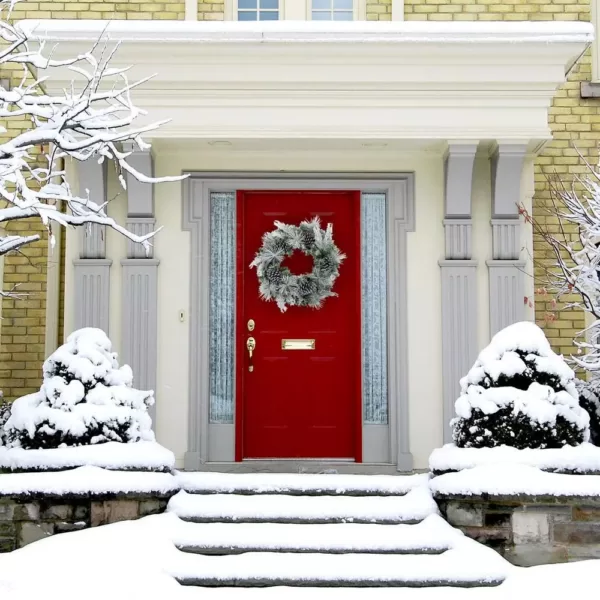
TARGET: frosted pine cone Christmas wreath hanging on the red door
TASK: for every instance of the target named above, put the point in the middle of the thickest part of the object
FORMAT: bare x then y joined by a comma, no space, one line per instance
277,283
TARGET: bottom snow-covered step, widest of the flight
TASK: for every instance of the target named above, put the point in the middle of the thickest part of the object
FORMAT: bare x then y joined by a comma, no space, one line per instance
452,568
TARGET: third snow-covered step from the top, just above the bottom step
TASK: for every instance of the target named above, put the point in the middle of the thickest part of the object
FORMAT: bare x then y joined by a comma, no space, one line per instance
431,536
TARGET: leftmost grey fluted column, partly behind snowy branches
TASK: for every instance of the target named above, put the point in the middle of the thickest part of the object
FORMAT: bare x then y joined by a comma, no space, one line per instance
92,268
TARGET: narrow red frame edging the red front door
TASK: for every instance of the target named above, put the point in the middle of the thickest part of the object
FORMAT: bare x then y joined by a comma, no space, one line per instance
241,333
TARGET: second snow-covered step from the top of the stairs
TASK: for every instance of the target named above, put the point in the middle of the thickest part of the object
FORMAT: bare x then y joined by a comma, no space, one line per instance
411,508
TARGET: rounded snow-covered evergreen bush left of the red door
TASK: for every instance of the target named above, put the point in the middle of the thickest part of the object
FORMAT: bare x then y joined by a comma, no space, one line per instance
85,398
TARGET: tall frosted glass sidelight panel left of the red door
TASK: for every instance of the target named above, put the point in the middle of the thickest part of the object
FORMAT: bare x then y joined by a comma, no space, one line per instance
222,306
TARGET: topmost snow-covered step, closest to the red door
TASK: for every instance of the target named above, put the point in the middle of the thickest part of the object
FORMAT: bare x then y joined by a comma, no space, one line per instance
299,484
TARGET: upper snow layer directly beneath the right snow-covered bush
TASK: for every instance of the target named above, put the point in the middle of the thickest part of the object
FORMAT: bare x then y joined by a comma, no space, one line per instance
574,459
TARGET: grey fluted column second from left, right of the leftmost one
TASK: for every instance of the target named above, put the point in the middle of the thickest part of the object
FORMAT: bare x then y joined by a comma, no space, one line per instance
140,281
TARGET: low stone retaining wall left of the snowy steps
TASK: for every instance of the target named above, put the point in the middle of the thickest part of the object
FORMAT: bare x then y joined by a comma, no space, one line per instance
24,520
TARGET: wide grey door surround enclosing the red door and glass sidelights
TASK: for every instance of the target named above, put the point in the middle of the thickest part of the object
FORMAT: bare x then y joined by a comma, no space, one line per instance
211,446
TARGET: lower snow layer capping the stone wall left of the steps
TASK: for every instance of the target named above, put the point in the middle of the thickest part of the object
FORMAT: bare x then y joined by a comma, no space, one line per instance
87,481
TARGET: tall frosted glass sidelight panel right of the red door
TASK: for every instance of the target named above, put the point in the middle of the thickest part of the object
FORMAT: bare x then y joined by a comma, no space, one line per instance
374,307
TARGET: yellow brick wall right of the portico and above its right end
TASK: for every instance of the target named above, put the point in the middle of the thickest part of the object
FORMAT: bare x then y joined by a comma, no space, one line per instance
575,124
